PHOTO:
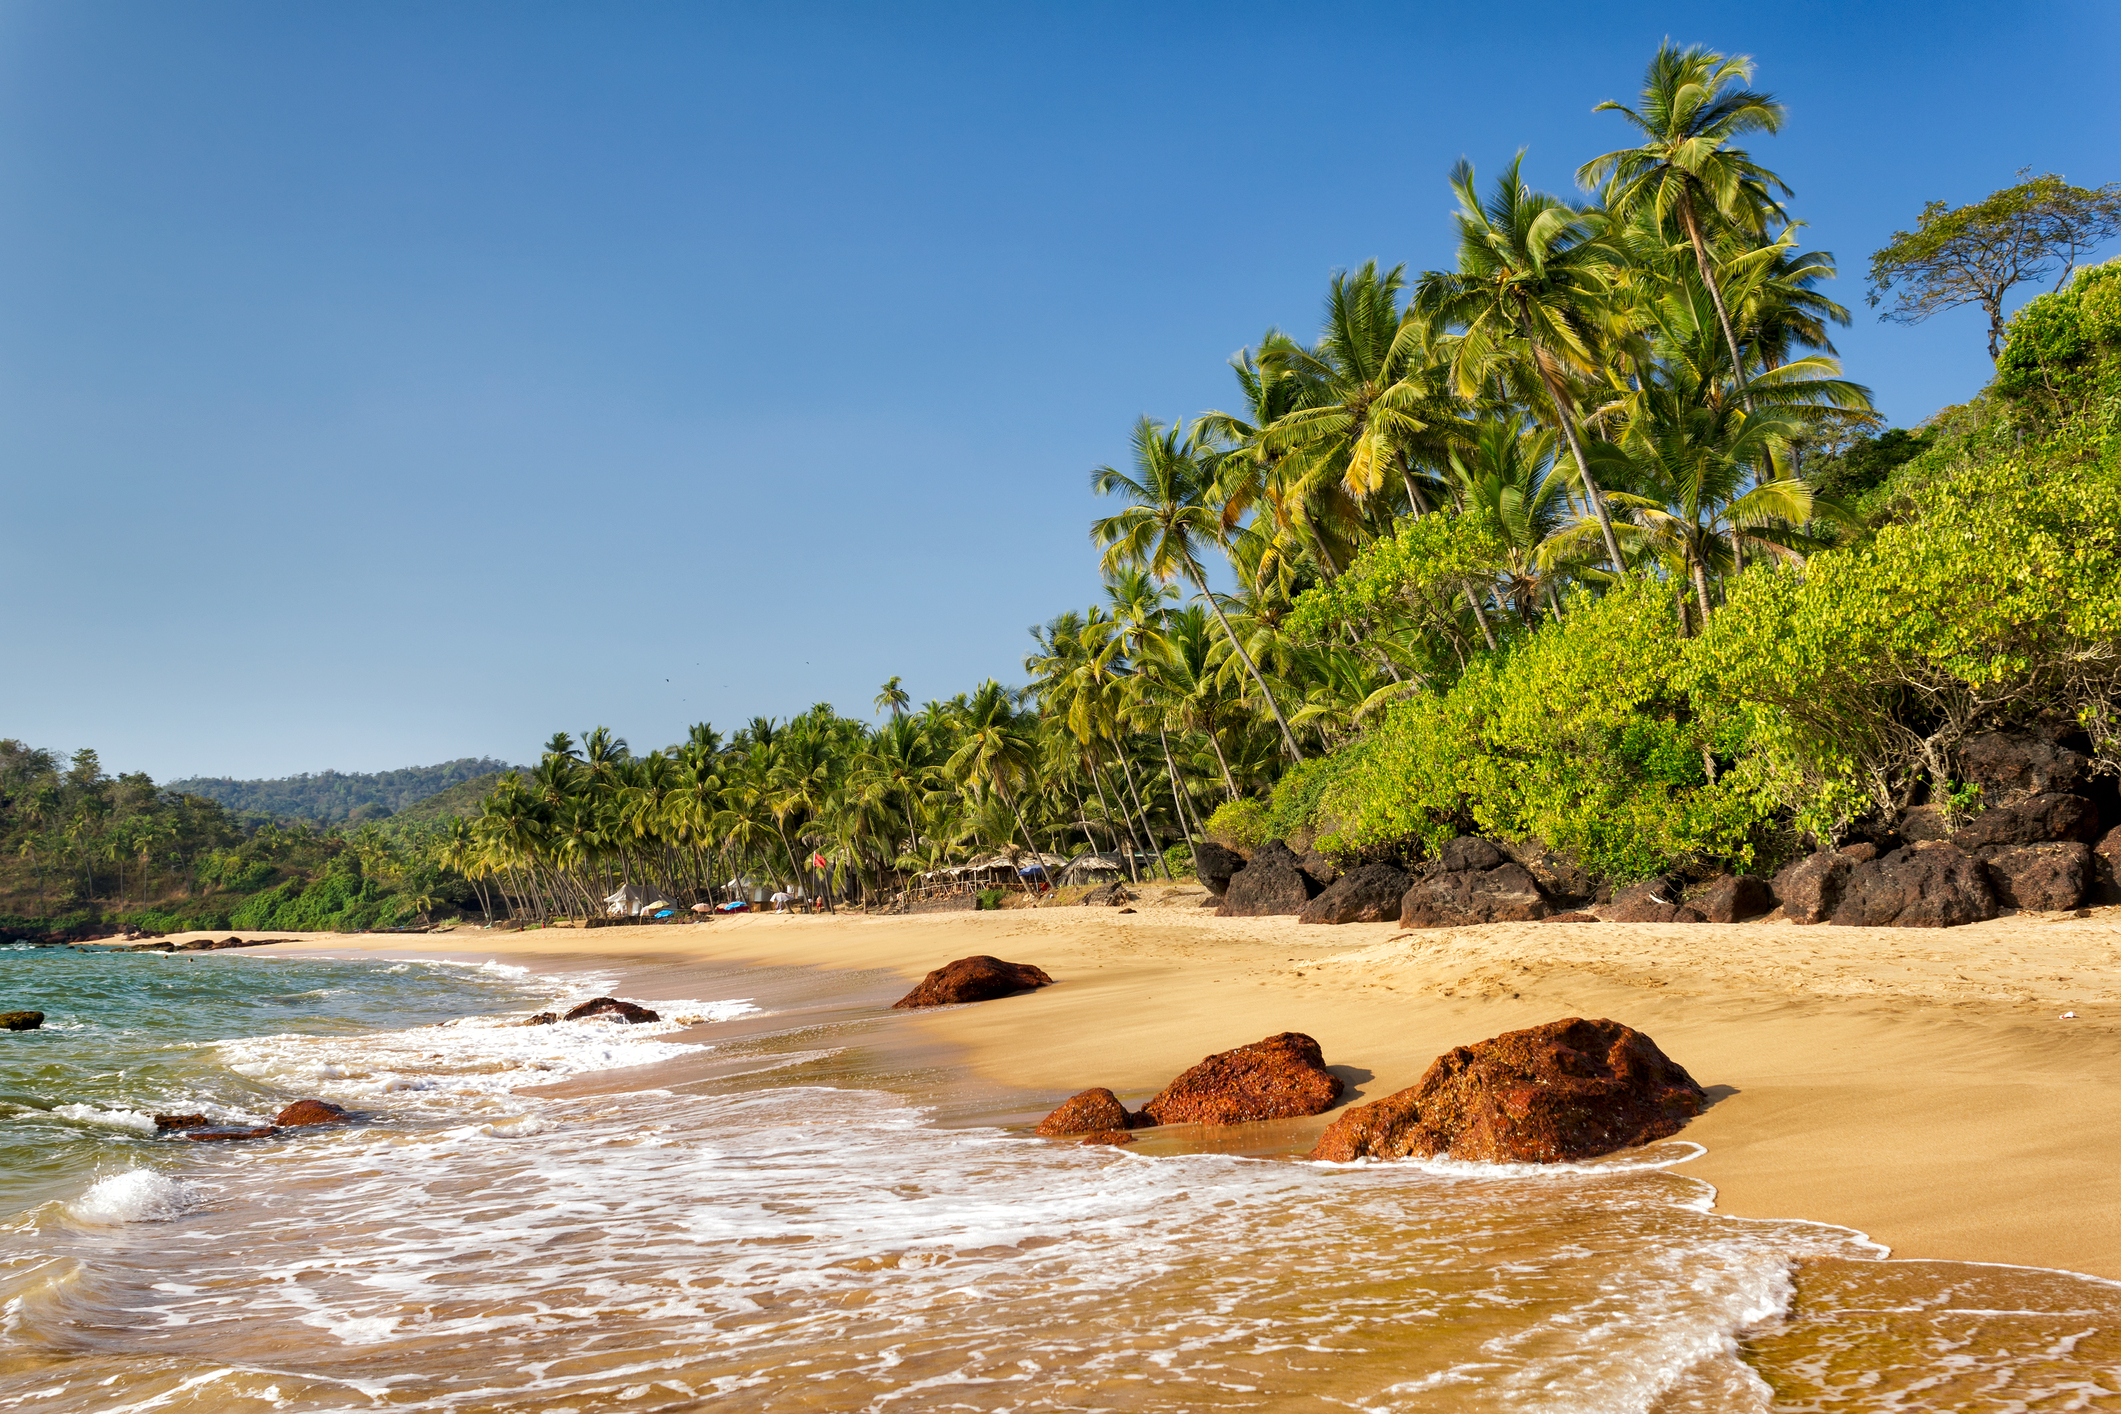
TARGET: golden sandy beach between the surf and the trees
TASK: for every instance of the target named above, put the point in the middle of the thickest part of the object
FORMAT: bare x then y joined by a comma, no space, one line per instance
1918,1086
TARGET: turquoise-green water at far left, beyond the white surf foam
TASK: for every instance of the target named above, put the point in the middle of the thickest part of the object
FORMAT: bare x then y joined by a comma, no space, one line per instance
130,1036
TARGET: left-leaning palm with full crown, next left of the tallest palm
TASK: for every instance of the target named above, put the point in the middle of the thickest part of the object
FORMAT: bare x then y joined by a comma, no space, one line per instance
1532,275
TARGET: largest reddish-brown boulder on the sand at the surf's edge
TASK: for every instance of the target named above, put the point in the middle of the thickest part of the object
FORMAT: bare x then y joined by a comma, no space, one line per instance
1547,1095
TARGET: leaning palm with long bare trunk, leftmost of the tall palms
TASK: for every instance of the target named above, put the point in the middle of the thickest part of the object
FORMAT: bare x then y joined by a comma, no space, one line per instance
1165,529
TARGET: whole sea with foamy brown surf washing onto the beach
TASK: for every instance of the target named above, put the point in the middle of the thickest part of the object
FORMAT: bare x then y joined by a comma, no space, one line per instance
756,1207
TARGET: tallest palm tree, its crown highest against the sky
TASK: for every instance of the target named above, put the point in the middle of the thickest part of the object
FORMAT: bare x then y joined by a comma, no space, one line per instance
1685,166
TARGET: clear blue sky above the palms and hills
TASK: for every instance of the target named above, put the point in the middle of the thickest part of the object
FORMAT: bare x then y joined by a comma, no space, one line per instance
396,383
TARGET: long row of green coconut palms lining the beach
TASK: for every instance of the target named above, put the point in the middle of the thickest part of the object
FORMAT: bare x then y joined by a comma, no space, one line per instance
1598,393
